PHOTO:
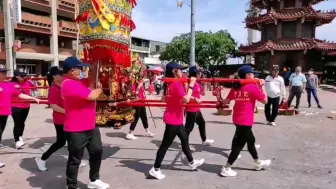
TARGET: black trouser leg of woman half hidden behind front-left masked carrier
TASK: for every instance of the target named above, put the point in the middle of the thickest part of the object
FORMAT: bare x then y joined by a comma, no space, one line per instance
60,142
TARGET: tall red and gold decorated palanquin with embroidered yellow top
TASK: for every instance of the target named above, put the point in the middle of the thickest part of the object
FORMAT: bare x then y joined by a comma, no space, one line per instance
105,27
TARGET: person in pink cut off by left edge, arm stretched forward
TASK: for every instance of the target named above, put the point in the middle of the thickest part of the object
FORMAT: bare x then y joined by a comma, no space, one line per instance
8,90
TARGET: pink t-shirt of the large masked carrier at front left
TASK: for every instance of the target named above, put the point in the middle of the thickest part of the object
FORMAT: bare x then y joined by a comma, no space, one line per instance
80,113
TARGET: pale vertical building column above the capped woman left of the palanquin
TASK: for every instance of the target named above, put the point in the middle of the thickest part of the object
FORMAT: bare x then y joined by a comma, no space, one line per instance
54,34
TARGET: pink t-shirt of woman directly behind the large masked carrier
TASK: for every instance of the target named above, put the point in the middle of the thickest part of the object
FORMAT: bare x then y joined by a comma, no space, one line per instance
55,97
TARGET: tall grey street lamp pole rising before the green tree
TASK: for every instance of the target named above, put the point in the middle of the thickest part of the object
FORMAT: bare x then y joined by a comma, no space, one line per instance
180,3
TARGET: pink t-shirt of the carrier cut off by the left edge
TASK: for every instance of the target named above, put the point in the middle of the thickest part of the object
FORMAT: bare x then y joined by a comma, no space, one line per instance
7,92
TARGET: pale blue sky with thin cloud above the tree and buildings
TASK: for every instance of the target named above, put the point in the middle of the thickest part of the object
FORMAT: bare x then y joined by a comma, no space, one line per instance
161,20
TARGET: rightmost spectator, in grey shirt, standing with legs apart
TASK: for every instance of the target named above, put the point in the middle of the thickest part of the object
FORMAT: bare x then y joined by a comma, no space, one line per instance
312,84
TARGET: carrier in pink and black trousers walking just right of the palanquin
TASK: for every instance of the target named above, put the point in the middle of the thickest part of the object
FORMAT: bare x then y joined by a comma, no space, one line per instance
140,112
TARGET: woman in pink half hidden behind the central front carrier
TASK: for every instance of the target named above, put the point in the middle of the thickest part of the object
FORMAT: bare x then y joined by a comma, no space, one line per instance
194,115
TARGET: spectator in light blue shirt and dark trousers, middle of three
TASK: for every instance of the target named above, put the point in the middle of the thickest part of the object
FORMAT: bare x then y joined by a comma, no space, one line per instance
297,82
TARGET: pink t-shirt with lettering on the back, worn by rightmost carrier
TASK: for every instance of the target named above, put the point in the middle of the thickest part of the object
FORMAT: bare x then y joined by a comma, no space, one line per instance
245,99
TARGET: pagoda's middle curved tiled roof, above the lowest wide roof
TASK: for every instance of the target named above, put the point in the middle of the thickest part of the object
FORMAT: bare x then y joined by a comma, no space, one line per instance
308,13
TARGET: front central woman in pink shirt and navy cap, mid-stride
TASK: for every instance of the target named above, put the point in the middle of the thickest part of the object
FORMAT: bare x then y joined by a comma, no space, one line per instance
175,97
